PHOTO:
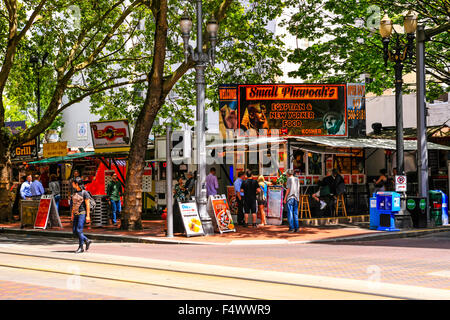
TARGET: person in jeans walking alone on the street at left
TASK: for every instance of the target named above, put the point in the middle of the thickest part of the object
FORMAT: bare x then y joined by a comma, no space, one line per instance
81,212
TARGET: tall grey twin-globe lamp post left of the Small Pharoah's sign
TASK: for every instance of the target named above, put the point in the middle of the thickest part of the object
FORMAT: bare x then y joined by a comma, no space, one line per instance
201,60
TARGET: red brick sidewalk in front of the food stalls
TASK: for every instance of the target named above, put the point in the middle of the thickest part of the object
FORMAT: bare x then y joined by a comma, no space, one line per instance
154,232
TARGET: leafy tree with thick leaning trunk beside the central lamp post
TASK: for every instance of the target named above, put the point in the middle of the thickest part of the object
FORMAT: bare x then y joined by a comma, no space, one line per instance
244,44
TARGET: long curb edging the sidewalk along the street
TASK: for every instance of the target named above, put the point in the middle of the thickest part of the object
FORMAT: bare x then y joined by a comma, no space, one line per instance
153,240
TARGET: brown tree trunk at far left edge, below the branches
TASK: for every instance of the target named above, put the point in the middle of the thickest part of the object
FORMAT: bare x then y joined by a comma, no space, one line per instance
6,199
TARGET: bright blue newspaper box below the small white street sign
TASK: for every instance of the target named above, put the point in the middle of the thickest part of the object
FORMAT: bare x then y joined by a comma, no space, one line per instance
388,204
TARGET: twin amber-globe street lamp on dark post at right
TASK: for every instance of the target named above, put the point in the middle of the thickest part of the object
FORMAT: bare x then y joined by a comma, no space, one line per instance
399,54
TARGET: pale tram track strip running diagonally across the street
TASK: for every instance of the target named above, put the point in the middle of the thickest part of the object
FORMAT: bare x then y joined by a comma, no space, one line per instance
206,278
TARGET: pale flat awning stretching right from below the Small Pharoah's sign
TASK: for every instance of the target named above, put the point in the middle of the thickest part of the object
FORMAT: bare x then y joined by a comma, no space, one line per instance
367,143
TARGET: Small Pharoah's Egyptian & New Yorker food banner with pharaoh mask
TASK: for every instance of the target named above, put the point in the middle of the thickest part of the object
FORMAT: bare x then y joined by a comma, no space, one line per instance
285,109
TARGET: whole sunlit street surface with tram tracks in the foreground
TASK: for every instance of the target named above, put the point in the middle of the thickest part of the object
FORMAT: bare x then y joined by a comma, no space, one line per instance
410,268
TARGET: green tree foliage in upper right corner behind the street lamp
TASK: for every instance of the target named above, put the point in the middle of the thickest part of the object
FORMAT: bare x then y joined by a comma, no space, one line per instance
346,41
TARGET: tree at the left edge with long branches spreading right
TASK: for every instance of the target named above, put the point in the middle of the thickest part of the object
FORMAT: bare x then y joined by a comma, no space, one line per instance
78,37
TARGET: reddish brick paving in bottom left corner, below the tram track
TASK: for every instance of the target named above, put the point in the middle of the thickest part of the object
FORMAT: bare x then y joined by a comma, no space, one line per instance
20,291
